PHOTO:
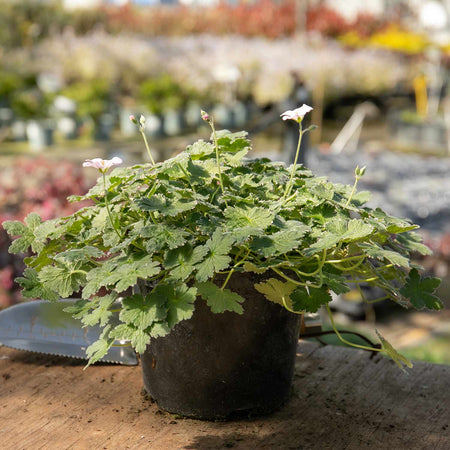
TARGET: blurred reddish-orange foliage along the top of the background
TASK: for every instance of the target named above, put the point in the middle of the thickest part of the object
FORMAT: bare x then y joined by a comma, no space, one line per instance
263,18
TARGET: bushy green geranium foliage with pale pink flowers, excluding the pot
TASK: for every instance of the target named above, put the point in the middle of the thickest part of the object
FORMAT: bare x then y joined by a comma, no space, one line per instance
209,214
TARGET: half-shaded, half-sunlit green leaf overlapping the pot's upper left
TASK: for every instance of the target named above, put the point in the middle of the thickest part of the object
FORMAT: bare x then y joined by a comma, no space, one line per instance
179,301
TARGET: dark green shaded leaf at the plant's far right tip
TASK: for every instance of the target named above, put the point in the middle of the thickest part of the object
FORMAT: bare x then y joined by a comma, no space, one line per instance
420,292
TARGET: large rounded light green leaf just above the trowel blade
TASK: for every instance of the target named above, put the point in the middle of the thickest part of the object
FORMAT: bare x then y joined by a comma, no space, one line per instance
63,279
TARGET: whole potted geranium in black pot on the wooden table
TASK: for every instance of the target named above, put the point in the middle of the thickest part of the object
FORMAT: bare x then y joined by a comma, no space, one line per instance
216,257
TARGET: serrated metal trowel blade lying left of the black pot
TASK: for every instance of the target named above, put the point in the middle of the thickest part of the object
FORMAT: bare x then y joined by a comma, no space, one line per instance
42,326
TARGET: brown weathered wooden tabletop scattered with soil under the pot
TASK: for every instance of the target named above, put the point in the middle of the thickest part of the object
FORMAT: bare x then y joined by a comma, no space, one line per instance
341,399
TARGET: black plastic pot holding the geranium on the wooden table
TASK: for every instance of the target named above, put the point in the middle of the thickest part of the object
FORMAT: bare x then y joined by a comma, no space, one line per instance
219,366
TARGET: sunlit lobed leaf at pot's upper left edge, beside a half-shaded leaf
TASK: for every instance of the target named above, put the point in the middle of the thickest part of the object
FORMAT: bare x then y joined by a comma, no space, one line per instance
143,311
